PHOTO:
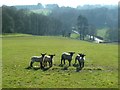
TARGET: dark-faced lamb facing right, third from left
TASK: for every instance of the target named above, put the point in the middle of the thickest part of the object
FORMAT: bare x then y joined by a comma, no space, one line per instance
67,56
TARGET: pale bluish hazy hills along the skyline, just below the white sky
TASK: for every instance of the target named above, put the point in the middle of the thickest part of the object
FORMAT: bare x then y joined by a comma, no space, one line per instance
54,6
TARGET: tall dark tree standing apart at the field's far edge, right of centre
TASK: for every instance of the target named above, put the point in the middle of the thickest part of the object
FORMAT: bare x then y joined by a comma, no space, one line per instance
82,25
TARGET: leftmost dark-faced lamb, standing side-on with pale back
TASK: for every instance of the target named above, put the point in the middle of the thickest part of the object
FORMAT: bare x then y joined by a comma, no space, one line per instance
37,59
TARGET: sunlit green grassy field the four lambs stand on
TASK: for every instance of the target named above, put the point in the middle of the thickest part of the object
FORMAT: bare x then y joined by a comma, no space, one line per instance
100,71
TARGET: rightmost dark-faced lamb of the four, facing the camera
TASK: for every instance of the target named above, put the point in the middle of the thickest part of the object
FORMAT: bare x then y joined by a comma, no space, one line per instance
80,57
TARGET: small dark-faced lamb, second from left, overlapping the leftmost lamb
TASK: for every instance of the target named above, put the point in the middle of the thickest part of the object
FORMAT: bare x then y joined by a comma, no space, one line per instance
49,59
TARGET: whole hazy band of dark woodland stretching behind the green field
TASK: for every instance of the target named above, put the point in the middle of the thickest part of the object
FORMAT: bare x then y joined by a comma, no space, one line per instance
59,22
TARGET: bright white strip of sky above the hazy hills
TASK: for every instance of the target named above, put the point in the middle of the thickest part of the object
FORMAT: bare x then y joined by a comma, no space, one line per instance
72,3
